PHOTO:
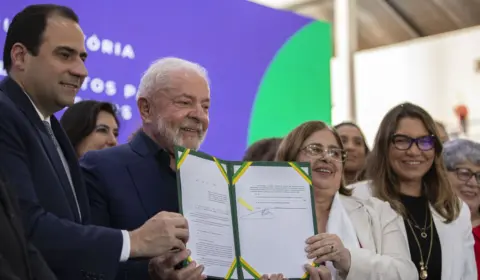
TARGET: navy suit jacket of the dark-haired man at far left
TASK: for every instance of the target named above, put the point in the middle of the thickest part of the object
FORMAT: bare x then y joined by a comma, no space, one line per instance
31,164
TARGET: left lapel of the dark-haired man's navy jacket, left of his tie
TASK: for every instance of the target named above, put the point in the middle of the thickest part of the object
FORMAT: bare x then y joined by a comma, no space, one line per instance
23,103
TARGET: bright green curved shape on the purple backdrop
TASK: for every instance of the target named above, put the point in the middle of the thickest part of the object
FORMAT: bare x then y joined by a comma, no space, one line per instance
296,85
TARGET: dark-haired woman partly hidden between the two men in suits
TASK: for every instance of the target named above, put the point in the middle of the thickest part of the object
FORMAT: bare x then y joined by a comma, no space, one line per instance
91,125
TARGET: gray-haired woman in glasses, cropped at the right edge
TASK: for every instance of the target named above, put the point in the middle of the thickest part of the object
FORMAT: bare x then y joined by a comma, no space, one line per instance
462,159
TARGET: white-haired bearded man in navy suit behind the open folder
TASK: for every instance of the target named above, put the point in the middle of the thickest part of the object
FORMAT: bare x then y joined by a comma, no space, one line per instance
129,183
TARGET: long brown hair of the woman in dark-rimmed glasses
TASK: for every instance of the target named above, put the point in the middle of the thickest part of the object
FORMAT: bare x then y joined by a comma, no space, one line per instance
386,183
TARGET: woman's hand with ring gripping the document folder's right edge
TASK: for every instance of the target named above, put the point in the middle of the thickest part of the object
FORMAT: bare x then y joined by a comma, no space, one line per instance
328,247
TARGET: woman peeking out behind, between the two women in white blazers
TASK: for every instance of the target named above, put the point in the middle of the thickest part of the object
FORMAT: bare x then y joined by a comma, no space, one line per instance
357,150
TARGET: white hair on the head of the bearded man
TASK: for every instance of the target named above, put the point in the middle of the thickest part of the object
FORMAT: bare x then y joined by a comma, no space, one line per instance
157,75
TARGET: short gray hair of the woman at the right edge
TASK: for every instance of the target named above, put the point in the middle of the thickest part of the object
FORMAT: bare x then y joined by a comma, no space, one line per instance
459,151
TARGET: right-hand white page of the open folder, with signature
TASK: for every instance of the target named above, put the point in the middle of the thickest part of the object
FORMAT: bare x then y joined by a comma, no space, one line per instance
275,218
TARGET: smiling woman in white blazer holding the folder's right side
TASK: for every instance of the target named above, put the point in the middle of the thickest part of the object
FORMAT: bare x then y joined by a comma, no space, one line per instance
358,240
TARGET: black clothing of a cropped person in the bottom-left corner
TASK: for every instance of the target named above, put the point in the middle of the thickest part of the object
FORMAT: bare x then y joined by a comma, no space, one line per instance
19,260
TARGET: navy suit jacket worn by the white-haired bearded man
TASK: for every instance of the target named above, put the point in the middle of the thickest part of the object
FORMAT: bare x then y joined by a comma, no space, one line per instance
127,185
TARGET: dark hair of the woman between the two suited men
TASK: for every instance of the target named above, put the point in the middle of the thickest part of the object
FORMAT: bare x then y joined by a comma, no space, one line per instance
80,119
